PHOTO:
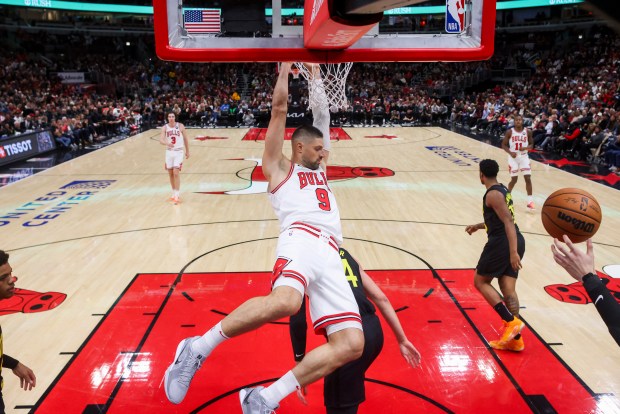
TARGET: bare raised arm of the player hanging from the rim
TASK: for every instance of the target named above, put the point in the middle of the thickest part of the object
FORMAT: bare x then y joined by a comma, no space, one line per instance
274,162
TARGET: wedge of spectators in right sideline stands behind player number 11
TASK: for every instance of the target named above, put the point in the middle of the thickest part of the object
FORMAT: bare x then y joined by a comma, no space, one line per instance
571,103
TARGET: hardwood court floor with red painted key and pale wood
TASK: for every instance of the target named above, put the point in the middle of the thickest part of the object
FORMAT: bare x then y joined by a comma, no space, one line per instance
139,274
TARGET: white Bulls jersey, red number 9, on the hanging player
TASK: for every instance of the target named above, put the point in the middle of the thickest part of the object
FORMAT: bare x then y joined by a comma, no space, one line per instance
304,196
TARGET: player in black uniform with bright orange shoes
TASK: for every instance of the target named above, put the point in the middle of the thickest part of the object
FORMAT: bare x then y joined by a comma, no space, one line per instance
501,256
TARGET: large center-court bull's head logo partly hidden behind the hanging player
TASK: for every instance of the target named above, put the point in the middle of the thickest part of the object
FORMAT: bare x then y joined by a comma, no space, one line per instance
258,182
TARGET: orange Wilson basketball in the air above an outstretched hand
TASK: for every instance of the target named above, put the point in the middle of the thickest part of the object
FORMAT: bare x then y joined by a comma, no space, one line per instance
573,212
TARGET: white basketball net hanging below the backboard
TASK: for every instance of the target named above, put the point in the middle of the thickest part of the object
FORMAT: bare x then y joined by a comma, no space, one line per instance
331,92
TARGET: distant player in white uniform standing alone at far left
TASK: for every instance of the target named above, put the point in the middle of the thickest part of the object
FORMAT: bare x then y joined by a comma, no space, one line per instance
174,138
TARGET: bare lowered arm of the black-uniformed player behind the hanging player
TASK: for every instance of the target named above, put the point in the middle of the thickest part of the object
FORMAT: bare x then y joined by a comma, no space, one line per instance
374,292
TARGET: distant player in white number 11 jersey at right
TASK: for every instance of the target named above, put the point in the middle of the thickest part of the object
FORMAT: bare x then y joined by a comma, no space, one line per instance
517,142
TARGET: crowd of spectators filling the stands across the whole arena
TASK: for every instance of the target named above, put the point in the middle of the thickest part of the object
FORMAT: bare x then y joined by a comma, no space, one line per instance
570,100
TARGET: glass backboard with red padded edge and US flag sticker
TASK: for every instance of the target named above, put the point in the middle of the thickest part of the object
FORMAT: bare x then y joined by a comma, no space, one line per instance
251,31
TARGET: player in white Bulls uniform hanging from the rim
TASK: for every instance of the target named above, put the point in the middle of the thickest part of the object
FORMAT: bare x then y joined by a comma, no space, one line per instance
307,262
